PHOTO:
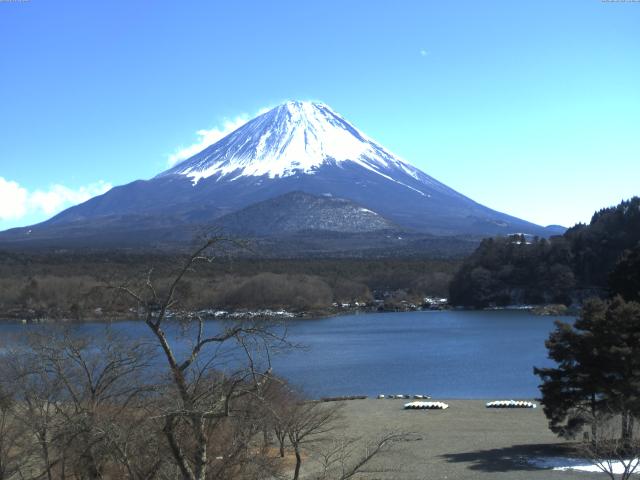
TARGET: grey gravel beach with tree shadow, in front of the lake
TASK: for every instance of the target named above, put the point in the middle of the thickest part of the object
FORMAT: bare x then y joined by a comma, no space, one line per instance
465,441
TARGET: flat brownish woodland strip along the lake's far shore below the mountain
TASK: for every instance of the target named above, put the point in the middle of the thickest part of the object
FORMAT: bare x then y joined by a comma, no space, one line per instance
72,285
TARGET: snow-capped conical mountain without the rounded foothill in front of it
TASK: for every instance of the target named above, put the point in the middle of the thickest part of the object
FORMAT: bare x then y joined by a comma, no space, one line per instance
297,146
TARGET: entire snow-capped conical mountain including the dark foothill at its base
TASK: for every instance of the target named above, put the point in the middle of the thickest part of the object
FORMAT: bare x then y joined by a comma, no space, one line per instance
302,147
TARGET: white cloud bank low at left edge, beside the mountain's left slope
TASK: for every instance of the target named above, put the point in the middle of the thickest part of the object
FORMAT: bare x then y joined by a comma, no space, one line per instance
17,202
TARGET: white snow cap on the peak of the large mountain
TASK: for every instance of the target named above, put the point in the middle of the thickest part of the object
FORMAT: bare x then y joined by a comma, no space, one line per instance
295,137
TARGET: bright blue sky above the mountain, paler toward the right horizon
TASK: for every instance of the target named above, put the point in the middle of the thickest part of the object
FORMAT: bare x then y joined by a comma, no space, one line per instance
530,107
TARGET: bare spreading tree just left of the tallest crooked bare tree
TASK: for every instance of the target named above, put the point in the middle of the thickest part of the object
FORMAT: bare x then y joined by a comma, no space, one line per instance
101,381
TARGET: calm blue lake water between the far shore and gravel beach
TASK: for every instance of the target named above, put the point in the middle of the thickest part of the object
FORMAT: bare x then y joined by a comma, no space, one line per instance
446,354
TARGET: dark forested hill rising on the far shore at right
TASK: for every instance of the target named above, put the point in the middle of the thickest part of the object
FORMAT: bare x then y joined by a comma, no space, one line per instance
601,258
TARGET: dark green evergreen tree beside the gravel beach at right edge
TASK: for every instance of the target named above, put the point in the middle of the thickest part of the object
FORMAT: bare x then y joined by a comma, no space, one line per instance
597,378
